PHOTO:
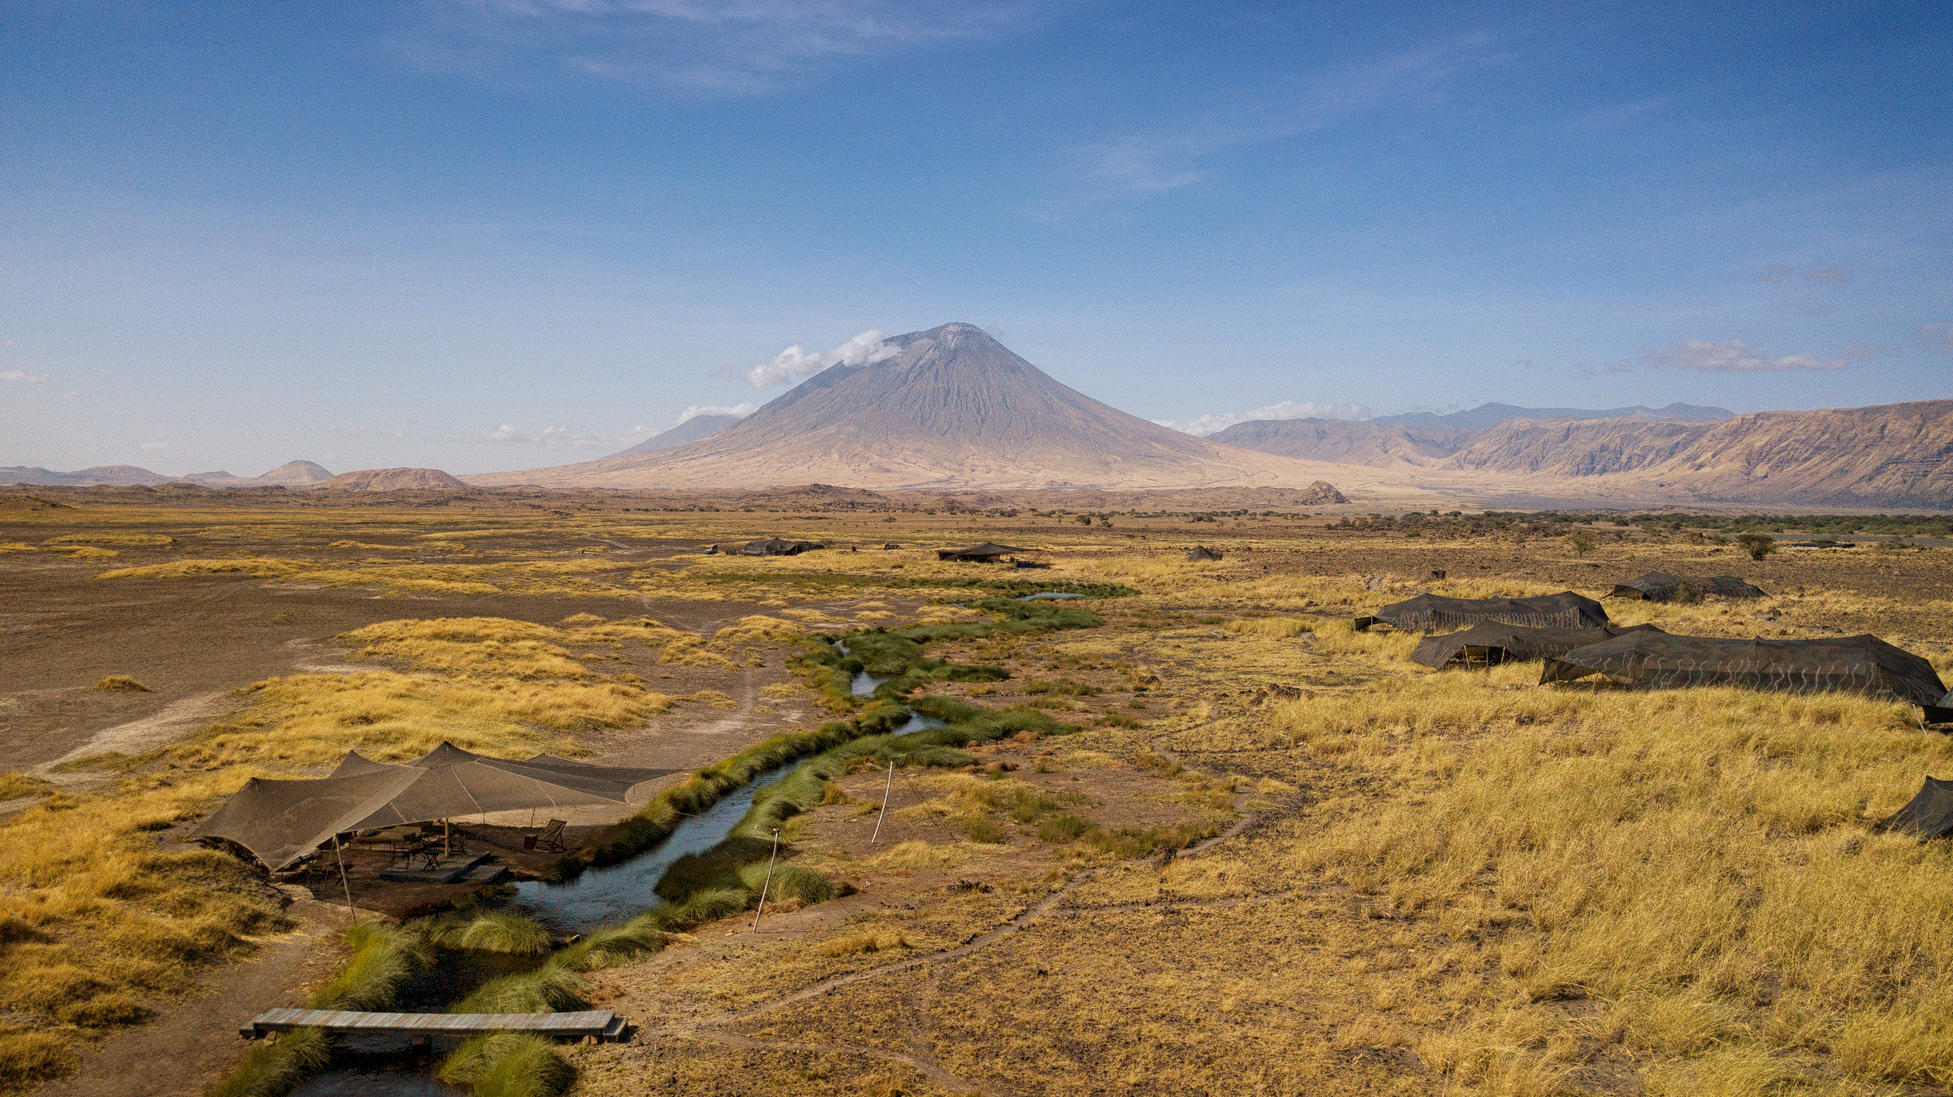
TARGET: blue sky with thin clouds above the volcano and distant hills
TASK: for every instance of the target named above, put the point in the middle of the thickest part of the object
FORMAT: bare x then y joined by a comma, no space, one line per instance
509,233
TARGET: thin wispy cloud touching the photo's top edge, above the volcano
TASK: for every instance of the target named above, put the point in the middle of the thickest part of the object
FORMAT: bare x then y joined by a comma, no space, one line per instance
704,48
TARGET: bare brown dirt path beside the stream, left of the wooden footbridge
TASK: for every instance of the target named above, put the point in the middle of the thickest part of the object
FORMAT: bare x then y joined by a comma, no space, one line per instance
194,1041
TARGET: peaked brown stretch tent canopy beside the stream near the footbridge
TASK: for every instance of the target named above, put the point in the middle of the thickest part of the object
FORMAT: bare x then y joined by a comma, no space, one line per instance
286,821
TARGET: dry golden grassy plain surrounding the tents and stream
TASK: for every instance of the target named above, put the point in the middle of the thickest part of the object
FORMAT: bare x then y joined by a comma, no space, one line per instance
1186,834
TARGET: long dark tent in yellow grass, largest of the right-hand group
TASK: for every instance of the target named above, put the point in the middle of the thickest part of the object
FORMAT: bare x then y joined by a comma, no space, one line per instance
1843,665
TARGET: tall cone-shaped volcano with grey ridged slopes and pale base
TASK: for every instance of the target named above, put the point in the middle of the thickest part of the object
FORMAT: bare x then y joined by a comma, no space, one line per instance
940,409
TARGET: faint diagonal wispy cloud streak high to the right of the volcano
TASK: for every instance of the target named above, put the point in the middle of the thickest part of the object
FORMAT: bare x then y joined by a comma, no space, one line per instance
1143,165
